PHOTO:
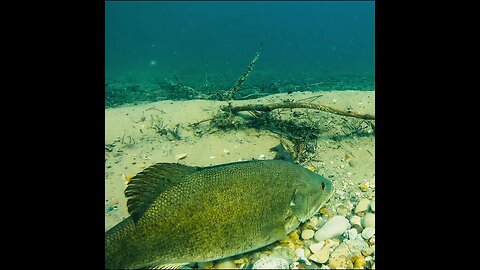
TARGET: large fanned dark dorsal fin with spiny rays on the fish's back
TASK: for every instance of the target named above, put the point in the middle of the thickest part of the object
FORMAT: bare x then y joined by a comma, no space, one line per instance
147,185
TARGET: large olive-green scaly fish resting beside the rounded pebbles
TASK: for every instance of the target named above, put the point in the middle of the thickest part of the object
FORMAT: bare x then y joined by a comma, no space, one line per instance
181,214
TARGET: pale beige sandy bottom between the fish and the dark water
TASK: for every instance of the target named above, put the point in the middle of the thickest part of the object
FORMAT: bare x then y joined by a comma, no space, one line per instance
132,144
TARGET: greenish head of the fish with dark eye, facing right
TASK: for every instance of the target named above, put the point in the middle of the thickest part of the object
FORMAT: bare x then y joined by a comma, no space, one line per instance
312,193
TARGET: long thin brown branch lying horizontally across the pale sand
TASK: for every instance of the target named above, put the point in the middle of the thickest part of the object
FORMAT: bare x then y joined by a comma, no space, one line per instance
296,105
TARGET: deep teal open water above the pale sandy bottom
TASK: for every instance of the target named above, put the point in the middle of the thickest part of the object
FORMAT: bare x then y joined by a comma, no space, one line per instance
151,47
